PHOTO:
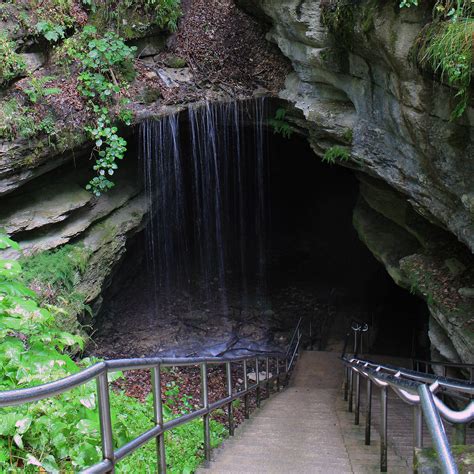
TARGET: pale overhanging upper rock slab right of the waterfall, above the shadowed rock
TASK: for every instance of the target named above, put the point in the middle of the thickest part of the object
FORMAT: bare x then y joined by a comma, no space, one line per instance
399,120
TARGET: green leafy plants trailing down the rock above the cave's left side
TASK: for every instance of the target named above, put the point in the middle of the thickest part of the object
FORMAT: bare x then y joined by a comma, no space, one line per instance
92,44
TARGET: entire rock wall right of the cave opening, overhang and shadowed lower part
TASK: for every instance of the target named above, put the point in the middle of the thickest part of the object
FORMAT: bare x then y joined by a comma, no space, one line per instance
360,88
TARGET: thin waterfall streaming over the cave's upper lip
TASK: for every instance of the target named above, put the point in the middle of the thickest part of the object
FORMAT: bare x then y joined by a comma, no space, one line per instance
205,176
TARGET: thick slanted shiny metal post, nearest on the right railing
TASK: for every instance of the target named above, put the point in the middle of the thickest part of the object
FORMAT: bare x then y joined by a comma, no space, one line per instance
438,433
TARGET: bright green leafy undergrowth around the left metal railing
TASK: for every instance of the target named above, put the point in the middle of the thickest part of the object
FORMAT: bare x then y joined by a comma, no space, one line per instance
62,434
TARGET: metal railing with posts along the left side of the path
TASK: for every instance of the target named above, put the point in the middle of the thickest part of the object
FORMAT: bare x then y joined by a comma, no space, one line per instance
100,371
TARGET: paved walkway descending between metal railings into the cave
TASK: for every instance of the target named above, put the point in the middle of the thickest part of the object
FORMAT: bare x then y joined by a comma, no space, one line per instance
304,429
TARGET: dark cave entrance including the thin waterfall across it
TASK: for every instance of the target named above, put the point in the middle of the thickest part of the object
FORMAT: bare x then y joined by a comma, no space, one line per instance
223,265
